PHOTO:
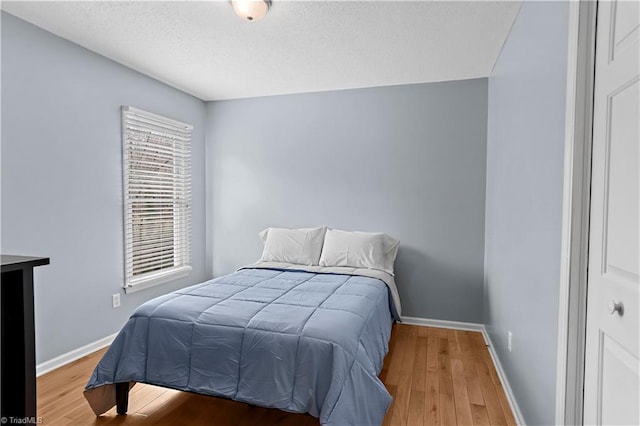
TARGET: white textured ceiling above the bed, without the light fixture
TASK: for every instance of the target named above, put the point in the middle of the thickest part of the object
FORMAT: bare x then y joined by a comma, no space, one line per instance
300,46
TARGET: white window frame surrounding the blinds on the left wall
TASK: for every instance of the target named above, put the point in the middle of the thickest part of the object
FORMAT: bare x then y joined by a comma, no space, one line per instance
181,236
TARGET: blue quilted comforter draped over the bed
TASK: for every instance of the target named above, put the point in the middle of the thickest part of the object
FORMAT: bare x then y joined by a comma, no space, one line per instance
293,340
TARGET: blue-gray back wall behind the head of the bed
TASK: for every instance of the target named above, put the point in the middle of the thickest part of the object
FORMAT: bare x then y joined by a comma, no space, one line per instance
405,160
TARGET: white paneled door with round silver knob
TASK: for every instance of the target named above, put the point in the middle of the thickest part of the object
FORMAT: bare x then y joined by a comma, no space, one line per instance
613,326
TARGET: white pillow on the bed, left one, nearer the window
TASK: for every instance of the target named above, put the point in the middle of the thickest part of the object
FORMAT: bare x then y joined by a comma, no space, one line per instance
299,246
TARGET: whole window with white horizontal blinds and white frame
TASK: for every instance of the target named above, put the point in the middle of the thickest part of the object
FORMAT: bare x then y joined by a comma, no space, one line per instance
156,157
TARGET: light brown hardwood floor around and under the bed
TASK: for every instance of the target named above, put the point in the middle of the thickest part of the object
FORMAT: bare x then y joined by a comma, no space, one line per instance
436,376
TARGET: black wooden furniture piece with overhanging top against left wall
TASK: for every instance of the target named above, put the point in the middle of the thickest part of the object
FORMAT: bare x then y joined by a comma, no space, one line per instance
18,360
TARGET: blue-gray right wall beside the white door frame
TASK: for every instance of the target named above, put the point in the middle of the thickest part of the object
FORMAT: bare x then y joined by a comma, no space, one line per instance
525,147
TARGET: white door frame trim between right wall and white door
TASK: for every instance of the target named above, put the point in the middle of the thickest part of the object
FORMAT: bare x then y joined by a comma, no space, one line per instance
572,316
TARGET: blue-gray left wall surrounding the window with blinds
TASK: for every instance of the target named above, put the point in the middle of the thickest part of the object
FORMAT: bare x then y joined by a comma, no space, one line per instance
62,179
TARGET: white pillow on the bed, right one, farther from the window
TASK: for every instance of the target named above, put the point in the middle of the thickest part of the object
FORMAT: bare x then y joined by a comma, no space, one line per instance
359,250
